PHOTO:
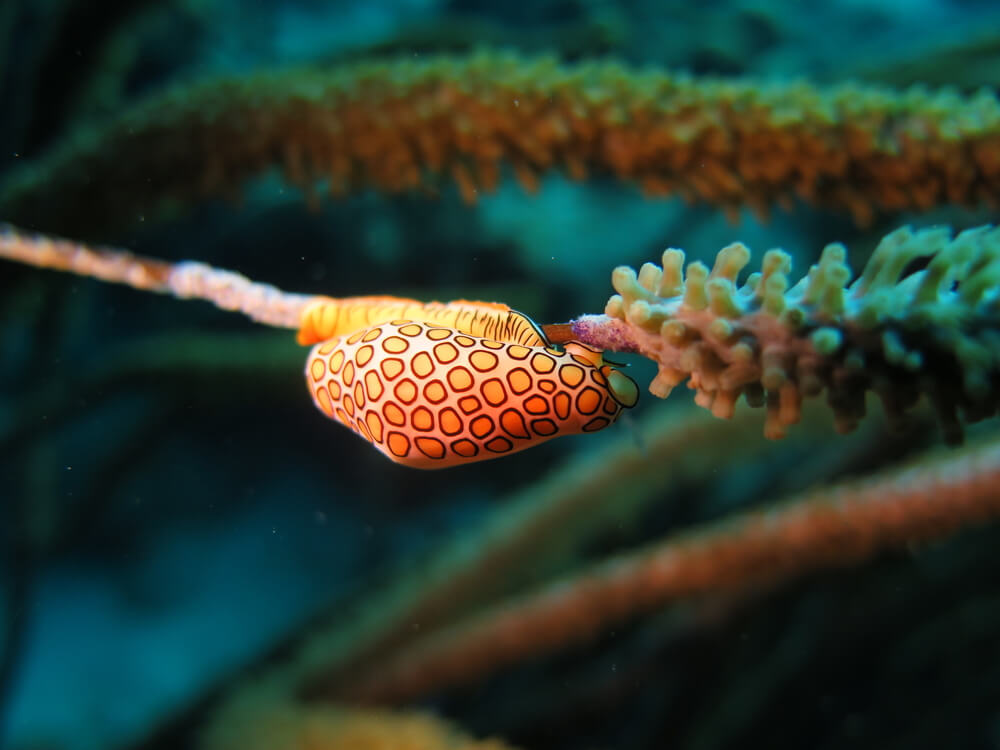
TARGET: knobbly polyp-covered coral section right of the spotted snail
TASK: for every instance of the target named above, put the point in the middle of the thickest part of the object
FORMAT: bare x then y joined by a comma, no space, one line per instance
895,330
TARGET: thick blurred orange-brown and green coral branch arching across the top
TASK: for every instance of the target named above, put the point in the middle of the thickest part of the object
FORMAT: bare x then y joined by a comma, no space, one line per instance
403,125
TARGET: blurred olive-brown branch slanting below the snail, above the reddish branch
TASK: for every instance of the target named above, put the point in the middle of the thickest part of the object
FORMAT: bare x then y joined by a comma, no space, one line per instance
553,518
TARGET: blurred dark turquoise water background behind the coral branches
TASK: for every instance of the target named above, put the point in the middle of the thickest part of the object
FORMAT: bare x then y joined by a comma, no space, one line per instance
178,519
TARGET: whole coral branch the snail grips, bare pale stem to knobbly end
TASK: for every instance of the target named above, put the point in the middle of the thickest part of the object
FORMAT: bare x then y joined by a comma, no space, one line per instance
920,320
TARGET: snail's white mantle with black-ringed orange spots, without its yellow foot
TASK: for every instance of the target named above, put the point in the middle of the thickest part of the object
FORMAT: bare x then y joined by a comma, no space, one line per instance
430,396
